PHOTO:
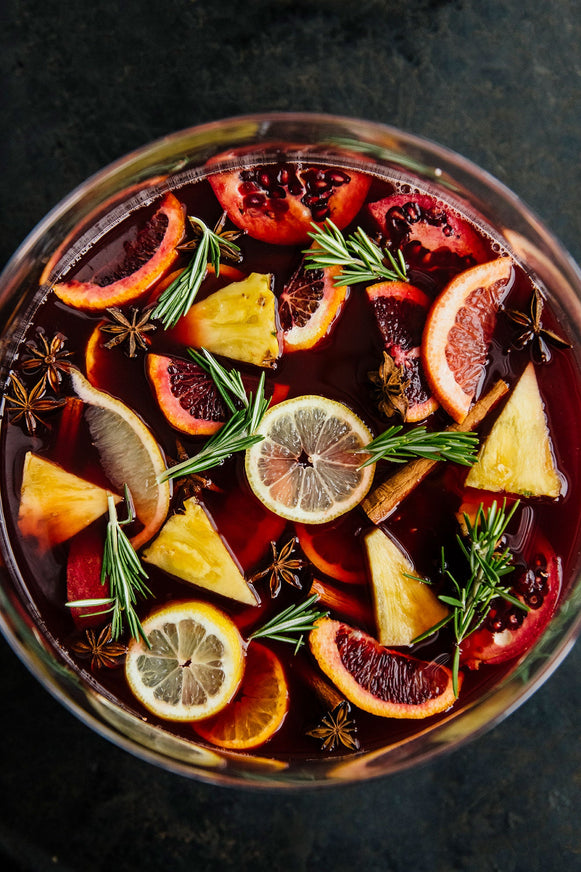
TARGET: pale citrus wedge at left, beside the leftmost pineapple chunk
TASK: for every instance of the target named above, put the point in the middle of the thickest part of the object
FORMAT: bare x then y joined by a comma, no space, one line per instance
129,455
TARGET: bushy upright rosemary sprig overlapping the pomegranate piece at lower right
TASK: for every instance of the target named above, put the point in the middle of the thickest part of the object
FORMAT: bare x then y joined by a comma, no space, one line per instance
487,564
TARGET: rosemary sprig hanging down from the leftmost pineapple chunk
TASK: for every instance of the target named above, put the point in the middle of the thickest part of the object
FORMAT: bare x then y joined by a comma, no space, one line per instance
122,569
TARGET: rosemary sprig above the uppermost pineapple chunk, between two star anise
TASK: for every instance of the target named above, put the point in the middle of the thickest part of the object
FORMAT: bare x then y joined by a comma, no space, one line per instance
210,246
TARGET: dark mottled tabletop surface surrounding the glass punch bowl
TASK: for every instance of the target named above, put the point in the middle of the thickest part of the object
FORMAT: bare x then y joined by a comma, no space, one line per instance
81,84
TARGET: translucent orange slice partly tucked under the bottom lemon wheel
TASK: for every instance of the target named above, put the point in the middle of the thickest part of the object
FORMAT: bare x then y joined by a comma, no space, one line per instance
258,709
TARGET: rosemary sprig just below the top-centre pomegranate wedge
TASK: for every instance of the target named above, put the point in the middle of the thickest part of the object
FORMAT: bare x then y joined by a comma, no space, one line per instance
361,258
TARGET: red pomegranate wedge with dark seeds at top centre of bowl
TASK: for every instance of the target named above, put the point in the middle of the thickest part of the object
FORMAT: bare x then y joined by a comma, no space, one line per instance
278,202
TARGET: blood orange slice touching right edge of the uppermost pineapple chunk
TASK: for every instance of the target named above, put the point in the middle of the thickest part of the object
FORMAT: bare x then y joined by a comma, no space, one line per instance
309,305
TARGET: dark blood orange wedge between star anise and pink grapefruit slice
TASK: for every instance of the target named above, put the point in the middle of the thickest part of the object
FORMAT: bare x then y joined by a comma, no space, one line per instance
400,310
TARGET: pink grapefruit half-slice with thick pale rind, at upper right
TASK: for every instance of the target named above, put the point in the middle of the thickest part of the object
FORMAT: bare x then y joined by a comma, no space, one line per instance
458,331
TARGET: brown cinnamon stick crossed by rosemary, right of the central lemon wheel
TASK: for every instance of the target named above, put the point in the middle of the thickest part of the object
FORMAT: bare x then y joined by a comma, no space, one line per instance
381,502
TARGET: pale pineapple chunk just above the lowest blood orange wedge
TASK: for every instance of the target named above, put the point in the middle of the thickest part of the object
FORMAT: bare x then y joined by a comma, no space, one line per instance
404,607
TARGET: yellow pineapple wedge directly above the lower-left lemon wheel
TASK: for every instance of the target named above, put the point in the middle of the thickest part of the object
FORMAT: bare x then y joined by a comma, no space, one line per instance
189,547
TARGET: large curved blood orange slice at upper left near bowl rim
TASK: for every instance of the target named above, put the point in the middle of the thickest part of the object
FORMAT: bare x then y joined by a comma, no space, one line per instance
145,261
